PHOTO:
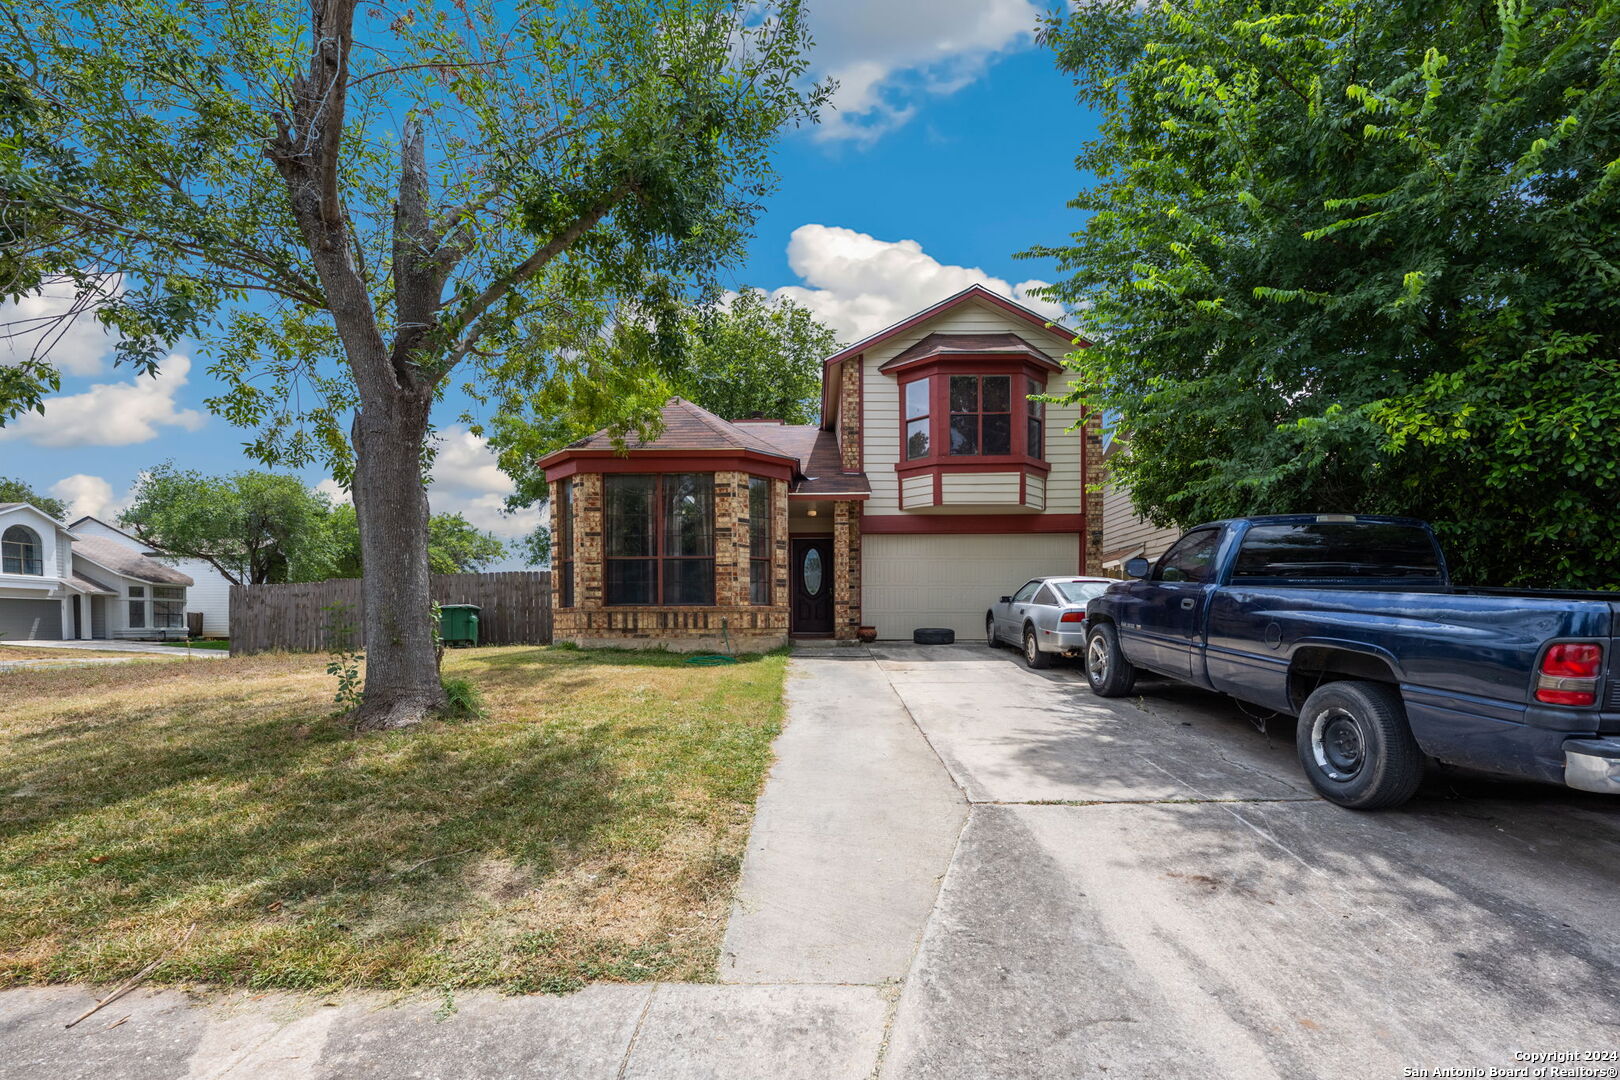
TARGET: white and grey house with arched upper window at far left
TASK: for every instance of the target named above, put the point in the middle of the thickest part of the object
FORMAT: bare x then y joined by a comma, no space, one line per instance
58,584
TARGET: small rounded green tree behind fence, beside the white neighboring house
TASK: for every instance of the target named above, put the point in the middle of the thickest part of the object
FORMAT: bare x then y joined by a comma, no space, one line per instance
252,527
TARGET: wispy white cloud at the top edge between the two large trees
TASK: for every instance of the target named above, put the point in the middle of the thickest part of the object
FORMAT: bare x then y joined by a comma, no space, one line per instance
889,54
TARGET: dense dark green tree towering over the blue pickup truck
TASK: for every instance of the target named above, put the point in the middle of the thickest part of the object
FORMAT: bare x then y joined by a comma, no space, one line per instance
1360,257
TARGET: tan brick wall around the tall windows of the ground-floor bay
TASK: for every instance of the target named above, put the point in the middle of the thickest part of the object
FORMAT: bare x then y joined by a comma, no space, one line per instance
748,627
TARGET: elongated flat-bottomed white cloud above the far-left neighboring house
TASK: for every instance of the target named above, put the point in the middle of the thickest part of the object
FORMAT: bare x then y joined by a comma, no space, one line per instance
113,414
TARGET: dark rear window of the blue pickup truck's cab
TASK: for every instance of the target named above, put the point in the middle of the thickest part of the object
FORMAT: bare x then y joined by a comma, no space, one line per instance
1339,550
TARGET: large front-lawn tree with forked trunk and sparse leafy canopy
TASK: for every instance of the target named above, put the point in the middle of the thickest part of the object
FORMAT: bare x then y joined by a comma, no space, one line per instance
351,205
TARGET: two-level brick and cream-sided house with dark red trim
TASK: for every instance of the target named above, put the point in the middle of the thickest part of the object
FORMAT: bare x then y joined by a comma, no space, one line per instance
931,488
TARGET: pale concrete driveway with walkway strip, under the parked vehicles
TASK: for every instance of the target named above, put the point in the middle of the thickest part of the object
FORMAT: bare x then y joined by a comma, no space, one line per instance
1065,887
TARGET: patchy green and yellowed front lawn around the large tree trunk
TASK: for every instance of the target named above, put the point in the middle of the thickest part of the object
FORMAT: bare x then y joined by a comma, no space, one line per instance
589,828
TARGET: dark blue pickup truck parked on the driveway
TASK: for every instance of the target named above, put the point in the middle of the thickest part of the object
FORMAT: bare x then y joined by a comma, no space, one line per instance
1352,624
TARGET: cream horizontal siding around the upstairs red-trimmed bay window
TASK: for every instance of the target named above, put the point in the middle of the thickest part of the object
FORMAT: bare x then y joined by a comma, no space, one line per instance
884,409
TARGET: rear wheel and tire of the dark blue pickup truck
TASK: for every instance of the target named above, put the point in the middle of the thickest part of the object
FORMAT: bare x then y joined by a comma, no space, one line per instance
1355,746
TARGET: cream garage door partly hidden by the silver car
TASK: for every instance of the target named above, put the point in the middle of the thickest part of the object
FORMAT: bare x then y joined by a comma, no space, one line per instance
910,582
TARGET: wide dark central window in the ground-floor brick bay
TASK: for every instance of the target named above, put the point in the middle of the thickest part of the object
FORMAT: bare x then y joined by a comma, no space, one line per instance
660,538
